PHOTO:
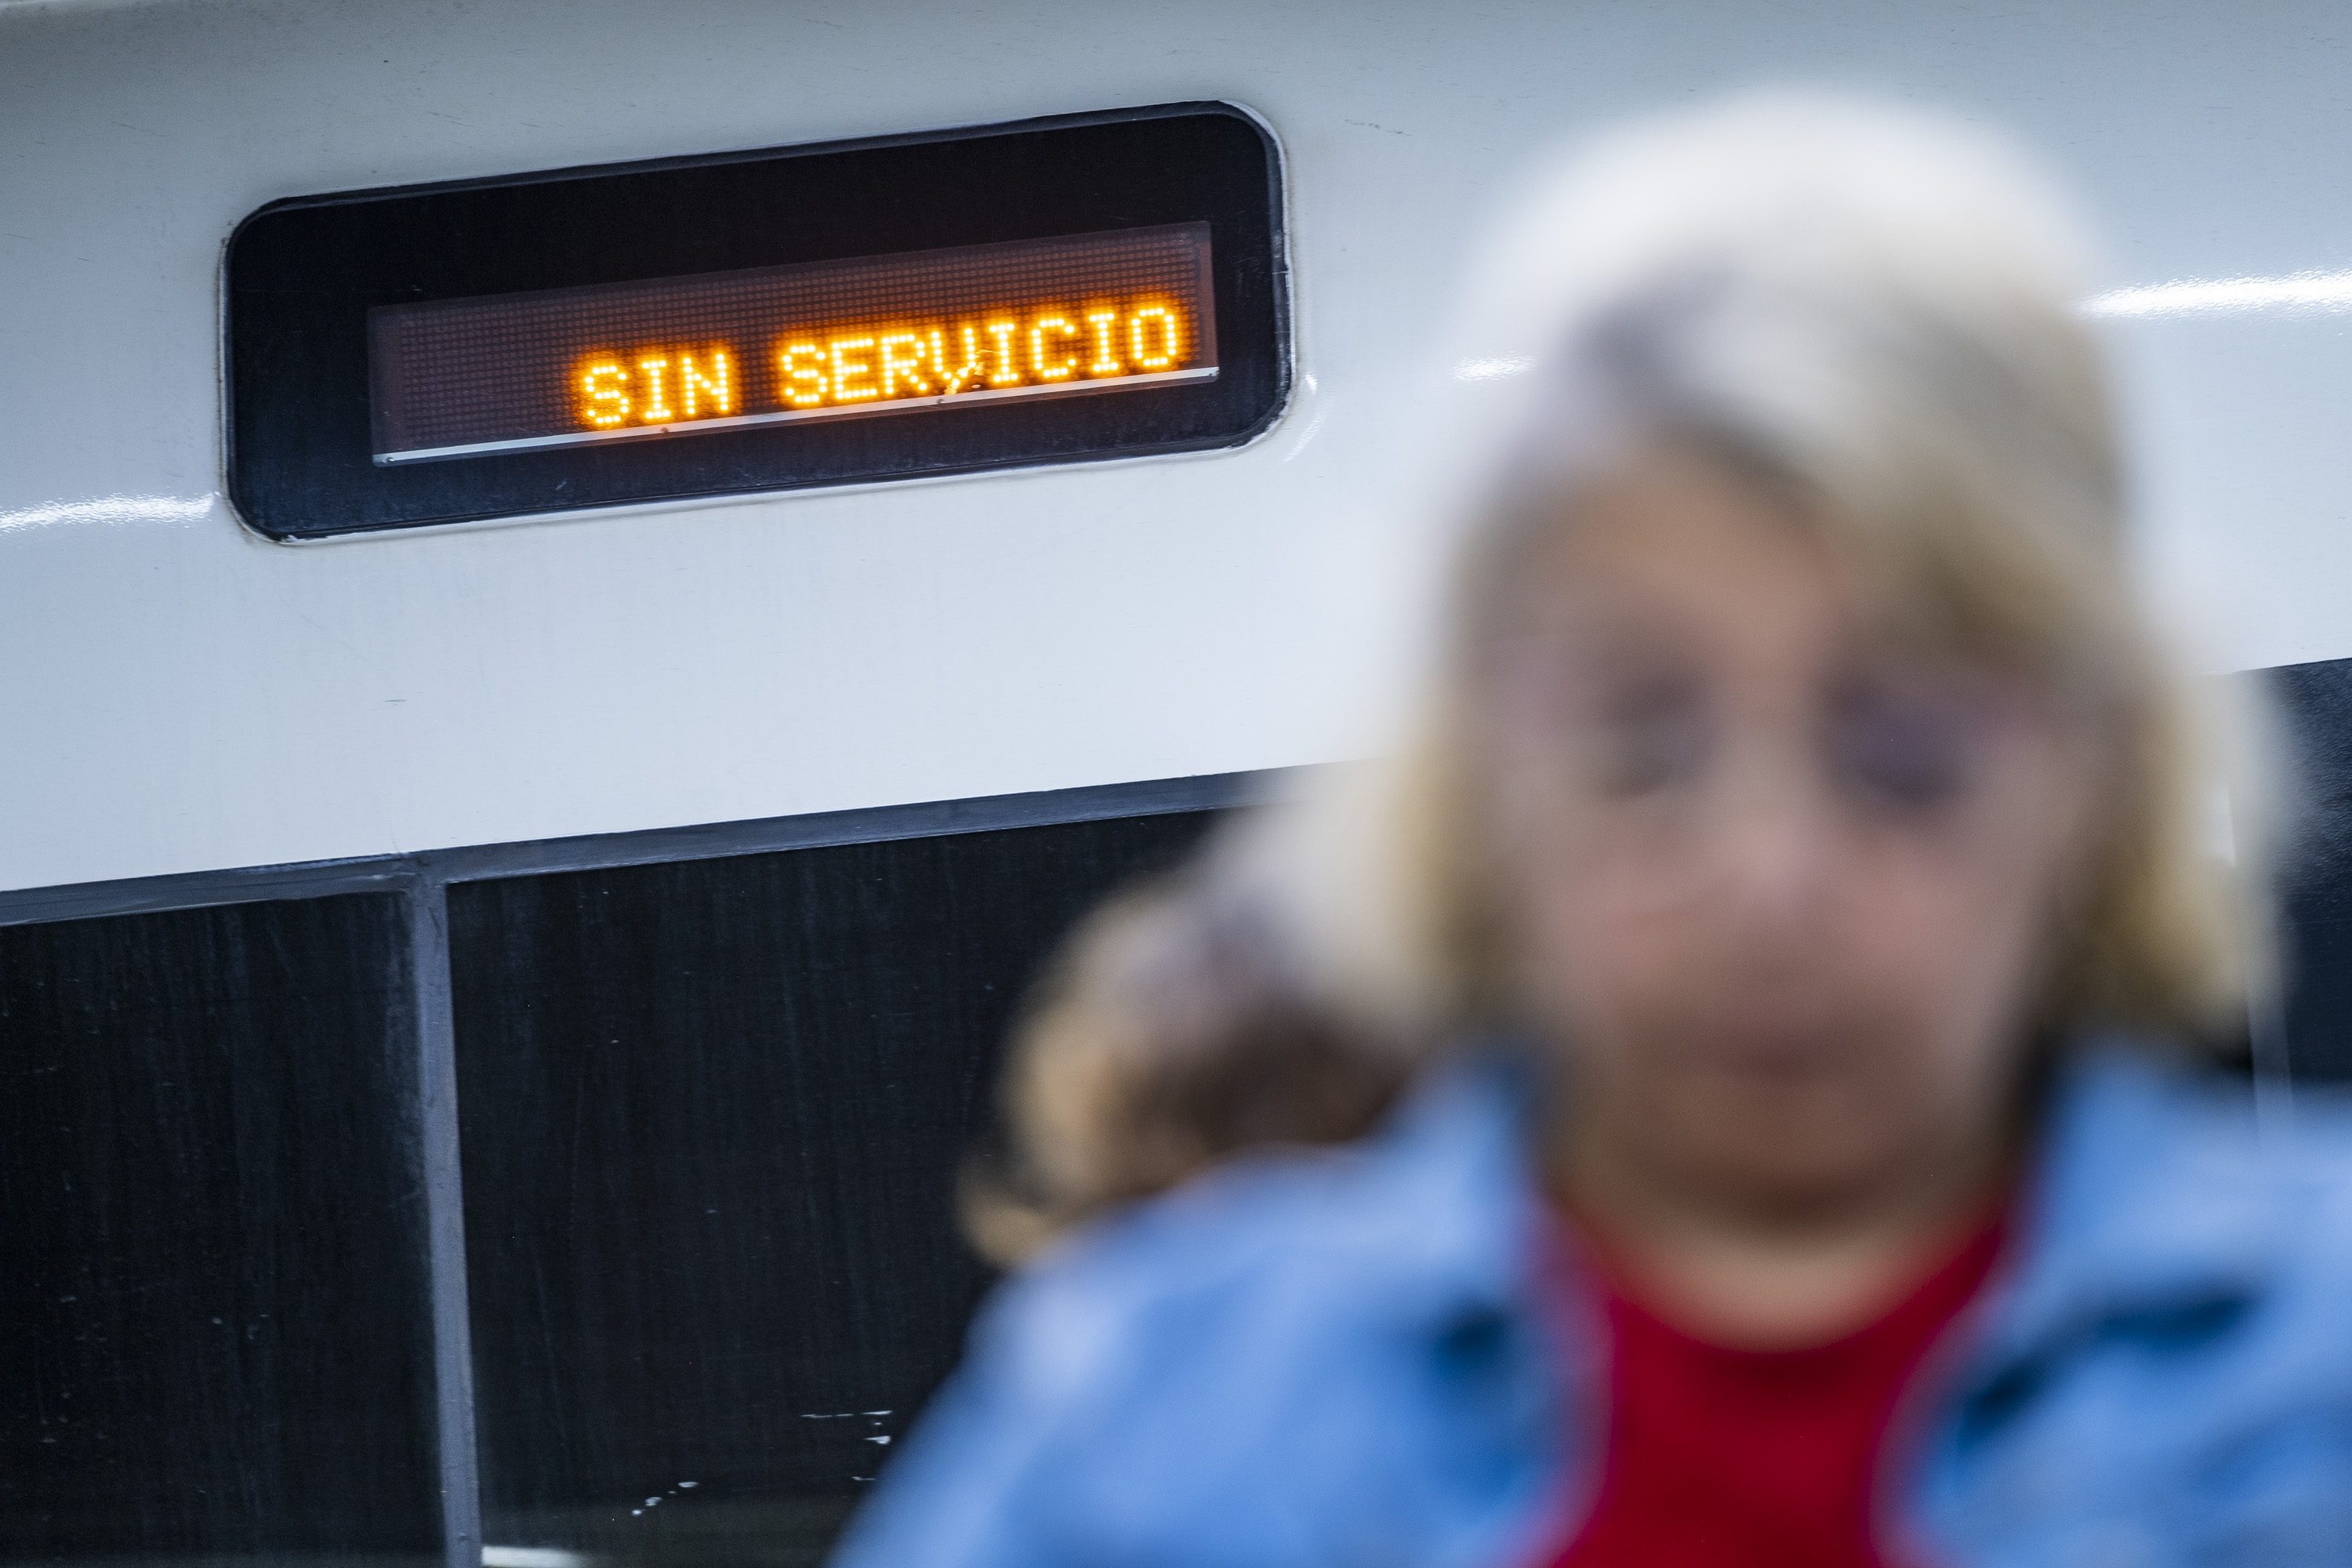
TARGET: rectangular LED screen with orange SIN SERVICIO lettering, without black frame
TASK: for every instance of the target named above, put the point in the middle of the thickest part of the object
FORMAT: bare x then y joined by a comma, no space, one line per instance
761,347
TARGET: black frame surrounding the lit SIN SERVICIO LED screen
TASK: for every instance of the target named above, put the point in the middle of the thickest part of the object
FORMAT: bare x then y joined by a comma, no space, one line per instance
305,274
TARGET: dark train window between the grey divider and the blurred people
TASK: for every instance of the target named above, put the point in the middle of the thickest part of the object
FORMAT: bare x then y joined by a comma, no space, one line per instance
711,1118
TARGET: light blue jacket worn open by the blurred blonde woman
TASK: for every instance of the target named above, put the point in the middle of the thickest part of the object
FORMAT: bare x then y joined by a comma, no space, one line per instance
1351,1360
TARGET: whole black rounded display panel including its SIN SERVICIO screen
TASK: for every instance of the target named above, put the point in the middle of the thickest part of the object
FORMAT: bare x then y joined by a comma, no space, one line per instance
1043,293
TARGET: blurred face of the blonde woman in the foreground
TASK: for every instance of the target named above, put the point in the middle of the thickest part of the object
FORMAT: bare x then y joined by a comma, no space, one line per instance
1782,885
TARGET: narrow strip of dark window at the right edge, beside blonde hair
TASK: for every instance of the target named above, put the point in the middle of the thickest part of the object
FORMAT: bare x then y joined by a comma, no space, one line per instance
2318,873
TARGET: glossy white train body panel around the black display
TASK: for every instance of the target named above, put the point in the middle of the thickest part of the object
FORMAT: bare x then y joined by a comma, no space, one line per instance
182,695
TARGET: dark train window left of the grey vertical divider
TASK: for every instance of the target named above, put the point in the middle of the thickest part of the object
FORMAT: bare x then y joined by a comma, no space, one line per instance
213,1308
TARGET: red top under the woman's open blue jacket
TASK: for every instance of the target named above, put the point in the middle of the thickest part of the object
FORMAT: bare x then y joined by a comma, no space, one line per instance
1742,1459
